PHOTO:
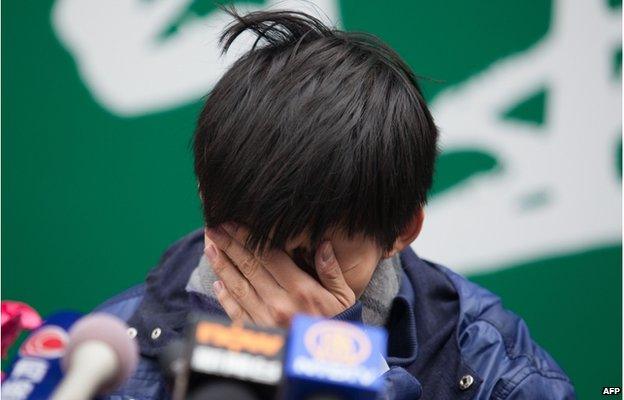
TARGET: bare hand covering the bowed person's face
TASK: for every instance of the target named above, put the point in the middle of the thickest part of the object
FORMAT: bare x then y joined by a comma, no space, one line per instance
268,289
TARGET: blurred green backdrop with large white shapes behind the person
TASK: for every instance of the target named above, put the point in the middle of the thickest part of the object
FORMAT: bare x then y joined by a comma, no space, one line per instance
99,101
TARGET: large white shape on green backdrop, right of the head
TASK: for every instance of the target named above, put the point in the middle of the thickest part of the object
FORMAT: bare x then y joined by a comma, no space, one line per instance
557,189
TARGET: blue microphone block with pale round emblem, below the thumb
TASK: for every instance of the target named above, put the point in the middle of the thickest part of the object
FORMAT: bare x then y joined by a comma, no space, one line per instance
330,359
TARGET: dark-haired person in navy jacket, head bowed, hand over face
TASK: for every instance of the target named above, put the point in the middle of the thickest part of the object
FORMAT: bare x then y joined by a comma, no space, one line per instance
314,154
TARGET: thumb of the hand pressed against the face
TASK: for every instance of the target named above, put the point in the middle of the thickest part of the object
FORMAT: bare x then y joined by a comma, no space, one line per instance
331,276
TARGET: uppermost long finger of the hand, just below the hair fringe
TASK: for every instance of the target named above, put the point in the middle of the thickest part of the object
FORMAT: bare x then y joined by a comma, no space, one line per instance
230,239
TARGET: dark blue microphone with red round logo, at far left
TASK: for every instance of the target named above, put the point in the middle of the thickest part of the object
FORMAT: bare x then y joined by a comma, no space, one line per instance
36,369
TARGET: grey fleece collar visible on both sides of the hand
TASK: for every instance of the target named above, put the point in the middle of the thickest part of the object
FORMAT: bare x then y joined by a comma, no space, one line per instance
376,298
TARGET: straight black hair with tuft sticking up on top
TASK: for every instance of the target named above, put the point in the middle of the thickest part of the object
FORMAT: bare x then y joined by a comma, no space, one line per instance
313,128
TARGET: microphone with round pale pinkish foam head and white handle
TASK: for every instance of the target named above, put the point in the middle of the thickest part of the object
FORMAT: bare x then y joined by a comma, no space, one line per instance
100,357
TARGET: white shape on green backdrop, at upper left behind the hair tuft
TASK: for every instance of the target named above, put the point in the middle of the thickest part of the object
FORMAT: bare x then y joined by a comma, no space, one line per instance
130,71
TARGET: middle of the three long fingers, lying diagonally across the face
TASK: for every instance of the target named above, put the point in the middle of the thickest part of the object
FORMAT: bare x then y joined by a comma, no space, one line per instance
236,284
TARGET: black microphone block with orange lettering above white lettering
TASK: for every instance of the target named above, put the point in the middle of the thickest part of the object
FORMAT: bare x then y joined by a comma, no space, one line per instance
233,361
